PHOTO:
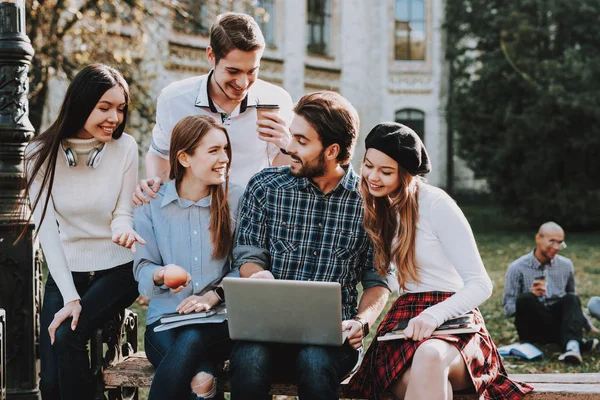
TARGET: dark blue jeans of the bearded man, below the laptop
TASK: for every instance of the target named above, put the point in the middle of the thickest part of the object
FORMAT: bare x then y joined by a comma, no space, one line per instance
317,370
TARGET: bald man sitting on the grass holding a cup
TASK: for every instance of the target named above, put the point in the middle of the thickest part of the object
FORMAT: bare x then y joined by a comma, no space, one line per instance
540,293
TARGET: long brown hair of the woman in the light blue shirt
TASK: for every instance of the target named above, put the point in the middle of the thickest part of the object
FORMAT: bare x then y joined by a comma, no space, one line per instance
186,137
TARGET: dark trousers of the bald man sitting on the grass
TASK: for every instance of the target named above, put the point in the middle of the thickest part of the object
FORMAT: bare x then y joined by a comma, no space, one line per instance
557,323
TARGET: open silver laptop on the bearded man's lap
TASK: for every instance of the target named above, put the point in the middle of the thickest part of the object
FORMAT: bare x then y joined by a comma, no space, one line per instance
284,311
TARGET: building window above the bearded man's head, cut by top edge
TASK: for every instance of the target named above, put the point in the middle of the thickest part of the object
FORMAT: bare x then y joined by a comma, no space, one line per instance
319,27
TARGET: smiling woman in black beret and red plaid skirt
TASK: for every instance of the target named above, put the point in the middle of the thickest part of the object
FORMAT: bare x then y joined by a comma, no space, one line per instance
421,231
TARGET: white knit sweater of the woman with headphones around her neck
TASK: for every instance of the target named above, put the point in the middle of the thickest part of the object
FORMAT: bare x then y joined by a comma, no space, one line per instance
86,206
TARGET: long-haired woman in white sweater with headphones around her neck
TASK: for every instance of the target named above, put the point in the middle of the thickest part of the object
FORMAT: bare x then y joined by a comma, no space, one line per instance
81,172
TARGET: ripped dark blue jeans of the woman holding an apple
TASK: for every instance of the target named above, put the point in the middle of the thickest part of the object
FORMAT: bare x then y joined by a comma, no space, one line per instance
180,353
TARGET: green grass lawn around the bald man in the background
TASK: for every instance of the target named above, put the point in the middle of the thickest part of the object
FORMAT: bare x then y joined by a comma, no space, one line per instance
500,243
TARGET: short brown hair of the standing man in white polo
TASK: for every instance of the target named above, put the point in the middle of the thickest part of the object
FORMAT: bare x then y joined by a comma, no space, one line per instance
232,31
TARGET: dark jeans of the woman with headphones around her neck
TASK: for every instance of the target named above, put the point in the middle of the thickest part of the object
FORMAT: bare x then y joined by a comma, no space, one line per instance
65,366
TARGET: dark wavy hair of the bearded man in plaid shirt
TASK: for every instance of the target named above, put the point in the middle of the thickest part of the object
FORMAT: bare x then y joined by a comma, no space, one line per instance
334,118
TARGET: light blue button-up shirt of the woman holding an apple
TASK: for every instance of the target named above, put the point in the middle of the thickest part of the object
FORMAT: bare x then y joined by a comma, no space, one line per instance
176,231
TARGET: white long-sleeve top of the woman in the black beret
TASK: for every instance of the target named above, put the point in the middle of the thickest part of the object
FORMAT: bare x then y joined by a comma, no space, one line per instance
447,257
